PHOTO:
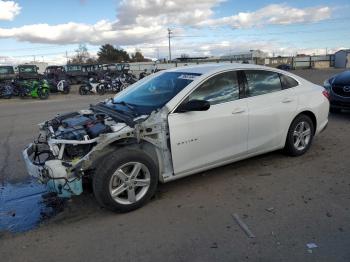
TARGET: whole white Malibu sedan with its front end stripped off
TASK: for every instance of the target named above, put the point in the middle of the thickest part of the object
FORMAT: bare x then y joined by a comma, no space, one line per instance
173,124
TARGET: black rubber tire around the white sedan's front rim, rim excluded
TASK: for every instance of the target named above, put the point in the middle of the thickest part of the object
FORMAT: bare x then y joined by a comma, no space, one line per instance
105,170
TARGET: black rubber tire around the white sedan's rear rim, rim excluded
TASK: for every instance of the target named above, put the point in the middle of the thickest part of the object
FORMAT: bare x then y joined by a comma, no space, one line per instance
289,147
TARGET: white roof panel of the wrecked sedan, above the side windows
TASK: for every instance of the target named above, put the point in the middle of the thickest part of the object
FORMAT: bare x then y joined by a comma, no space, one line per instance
206,68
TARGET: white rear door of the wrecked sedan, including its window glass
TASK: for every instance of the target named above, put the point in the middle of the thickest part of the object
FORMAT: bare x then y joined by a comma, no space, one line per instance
271,108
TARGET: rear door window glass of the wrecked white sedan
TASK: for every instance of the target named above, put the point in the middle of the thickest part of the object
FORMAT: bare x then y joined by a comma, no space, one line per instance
262,82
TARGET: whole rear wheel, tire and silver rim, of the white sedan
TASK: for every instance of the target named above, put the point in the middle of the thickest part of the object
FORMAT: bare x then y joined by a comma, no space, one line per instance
300,135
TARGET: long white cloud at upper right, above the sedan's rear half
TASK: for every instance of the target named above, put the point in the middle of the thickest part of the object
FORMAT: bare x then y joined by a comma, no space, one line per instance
274,14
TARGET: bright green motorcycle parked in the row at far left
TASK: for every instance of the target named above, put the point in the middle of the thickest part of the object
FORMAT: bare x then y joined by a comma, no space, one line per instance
33,88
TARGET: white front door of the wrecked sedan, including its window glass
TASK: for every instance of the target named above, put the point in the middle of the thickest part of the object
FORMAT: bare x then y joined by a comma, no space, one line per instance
204,138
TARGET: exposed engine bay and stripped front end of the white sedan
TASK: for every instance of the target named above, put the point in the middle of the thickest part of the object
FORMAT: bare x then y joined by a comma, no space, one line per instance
69,145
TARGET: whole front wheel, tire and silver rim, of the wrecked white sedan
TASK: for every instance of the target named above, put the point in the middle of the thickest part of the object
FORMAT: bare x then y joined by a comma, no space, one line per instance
125,180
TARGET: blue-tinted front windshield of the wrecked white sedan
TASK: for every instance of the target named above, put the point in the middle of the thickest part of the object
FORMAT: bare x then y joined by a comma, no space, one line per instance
156,92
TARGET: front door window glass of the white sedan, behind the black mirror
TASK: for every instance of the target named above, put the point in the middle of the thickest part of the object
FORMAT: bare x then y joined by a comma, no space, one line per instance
218,89
